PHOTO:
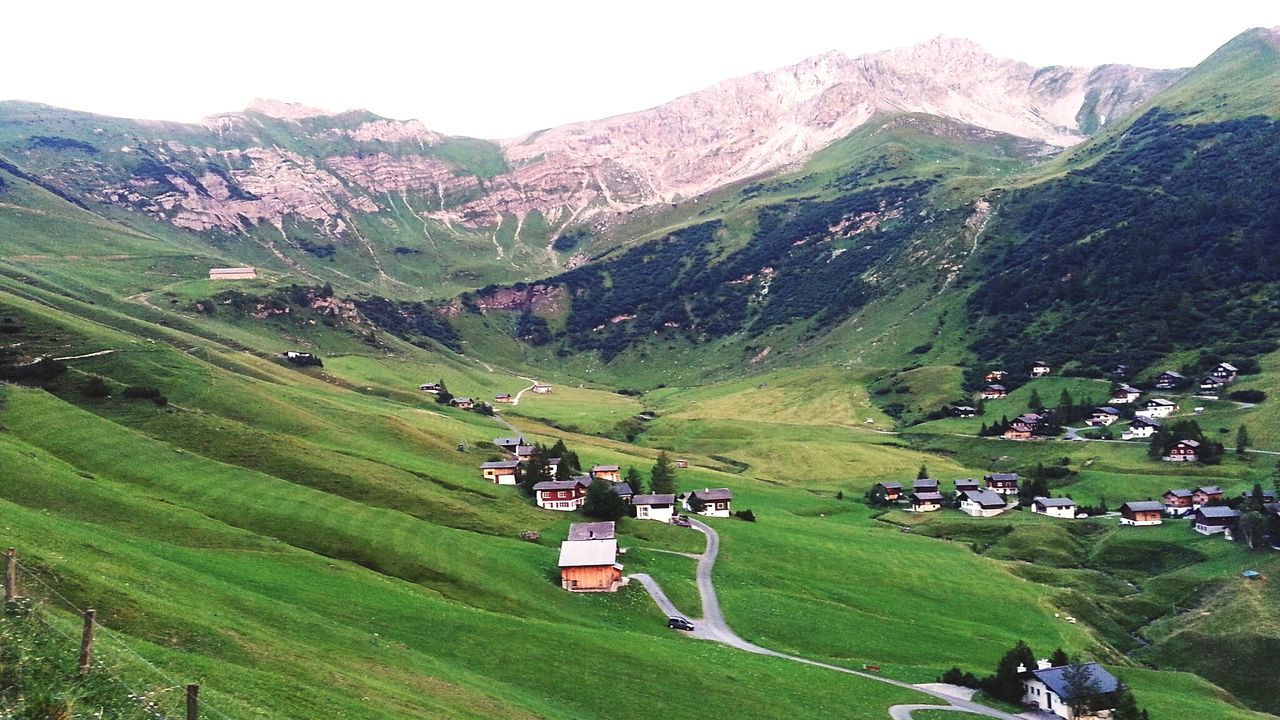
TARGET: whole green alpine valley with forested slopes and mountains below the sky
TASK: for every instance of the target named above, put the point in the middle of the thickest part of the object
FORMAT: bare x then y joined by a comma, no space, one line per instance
806,285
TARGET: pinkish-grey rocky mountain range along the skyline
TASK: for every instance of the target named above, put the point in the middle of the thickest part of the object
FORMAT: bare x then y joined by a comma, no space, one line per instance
281,165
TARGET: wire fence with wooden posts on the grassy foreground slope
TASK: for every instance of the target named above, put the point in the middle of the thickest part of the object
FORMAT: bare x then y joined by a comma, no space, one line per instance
156,694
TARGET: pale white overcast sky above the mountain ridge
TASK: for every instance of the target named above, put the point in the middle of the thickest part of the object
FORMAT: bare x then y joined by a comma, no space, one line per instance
501,69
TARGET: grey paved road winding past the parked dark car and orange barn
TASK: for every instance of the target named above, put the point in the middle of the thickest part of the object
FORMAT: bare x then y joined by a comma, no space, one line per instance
712,627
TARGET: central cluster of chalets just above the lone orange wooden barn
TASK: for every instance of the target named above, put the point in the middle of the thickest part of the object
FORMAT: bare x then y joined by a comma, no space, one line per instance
572,495
